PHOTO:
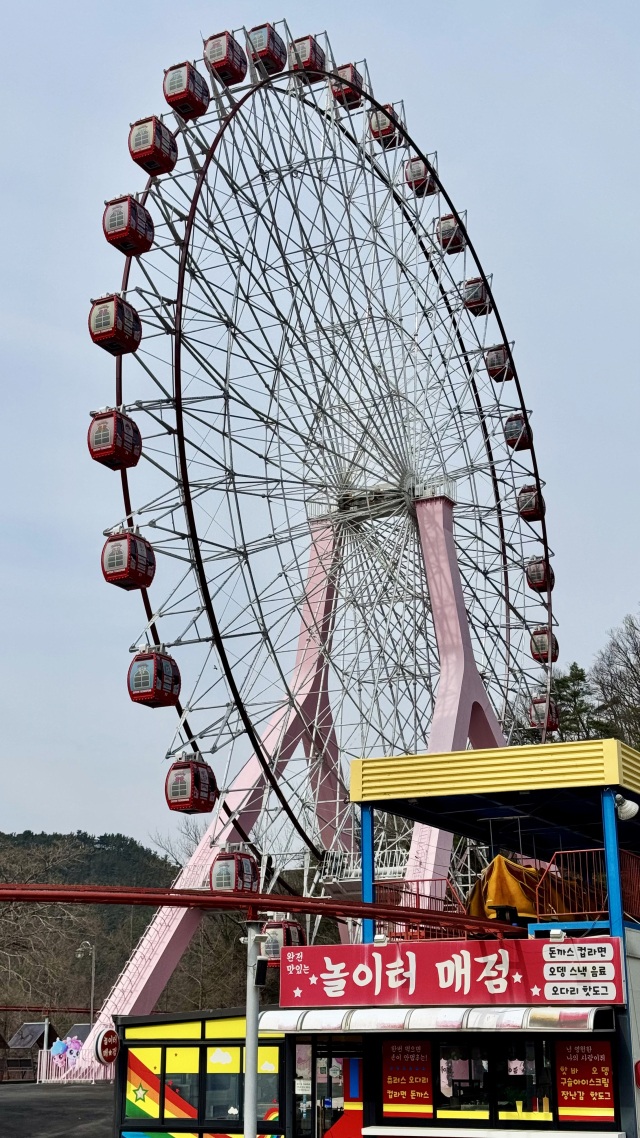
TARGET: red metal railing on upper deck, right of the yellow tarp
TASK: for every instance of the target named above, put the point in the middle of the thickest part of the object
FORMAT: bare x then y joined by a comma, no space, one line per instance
575,886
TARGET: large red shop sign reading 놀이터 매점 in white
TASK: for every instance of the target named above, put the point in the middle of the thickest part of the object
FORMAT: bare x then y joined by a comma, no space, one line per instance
470,972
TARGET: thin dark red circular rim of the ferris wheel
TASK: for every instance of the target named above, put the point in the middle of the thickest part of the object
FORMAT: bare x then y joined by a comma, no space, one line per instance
199,565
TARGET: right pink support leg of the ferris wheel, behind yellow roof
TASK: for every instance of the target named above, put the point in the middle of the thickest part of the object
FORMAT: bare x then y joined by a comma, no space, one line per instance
463,710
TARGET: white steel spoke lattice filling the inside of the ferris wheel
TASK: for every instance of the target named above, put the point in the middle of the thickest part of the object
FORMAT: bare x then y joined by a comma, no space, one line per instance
330,374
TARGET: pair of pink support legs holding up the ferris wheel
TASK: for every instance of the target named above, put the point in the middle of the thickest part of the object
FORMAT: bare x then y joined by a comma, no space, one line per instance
463,714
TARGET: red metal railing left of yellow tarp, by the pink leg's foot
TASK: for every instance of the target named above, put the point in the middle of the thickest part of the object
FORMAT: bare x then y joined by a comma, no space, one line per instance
434,895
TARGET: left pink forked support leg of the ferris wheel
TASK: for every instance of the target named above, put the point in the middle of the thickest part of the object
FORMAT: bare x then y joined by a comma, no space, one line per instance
309,721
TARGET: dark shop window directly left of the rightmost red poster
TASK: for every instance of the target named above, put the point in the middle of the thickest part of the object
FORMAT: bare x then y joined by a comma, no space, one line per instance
523,1070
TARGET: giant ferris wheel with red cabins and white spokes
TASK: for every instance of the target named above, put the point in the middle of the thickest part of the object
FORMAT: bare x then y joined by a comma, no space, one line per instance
309,358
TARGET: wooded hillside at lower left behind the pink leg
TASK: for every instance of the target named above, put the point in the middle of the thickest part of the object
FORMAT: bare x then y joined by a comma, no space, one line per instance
38,943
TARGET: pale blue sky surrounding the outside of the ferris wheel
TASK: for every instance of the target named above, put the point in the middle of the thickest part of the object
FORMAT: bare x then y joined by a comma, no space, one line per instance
534,110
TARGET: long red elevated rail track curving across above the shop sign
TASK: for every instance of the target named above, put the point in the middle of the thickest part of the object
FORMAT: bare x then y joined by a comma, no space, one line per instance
252,904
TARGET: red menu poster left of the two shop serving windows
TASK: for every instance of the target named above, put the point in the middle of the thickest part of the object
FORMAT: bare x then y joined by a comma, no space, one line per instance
407,1079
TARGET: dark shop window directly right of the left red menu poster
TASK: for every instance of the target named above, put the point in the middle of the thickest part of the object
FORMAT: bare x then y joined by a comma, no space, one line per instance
463,1084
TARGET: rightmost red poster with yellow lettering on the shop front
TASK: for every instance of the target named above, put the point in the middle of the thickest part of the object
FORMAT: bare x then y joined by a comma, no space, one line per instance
585,1082
